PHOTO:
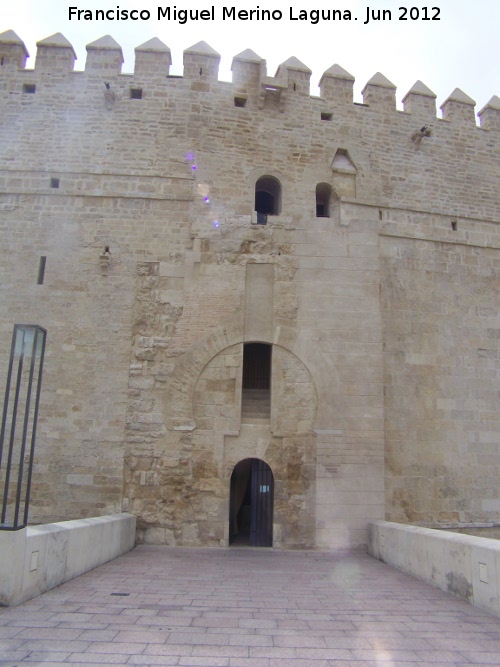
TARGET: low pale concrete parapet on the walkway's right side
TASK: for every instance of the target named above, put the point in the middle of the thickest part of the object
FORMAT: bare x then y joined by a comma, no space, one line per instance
465,566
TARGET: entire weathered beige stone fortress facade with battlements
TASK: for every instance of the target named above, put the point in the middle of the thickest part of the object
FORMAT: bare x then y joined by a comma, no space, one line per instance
375,281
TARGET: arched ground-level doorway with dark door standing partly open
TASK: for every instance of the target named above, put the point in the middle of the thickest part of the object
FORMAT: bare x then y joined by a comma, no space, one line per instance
251,504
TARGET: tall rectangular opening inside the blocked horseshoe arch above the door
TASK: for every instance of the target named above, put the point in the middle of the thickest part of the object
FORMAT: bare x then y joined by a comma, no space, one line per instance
256,384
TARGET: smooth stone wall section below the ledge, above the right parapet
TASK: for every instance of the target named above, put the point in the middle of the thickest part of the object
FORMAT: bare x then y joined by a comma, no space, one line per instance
441,333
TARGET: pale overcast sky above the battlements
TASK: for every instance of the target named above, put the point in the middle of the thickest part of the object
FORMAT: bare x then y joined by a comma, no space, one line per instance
462,49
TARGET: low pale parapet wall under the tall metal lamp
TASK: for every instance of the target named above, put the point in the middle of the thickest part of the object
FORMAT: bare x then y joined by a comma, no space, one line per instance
37,558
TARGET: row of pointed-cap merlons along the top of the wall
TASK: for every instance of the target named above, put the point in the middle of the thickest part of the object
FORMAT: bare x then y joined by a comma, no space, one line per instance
56,57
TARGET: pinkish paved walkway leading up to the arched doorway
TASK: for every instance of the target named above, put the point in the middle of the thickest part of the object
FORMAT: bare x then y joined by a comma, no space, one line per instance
247,608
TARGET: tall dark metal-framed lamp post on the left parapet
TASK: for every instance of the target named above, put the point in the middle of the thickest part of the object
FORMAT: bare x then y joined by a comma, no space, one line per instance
19,421
